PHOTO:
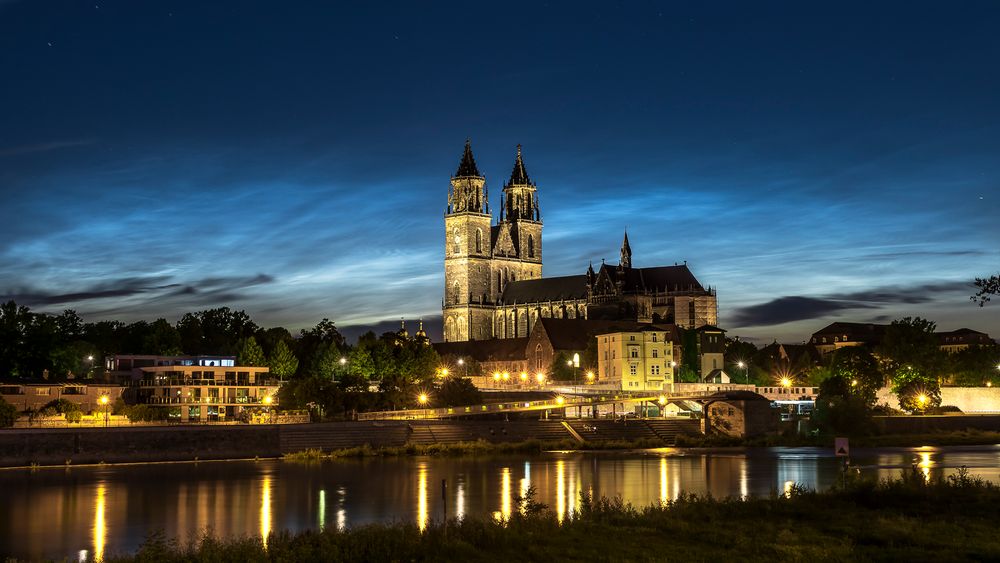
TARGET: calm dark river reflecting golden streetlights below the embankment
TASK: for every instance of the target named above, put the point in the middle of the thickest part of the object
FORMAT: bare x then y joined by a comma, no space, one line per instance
80,512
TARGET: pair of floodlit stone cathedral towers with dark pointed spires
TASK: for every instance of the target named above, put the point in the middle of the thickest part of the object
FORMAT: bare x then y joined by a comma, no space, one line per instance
482,258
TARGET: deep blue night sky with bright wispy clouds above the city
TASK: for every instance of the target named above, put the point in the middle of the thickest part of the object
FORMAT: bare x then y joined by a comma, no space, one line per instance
812,161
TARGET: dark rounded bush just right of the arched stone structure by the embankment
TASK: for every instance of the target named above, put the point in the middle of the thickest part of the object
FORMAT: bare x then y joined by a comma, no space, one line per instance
842,409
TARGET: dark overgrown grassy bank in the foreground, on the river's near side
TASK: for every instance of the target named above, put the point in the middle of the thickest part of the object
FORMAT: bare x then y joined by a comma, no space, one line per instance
903,519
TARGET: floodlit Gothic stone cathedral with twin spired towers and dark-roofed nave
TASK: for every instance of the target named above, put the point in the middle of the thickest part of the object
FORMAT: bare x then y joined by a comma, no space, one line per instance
494,287
